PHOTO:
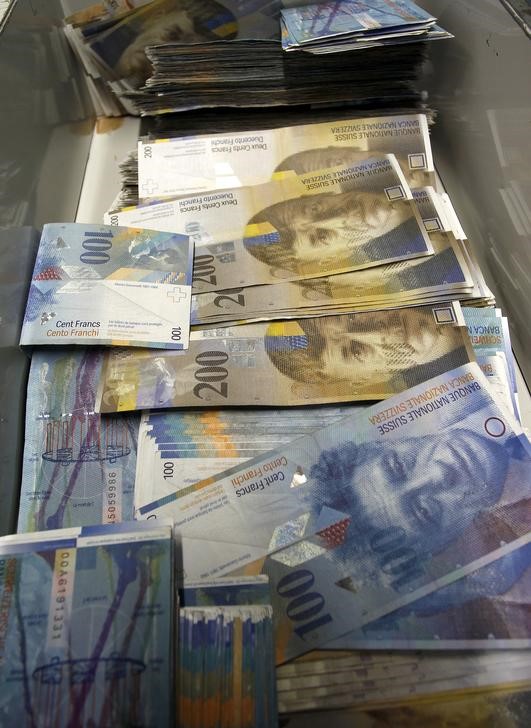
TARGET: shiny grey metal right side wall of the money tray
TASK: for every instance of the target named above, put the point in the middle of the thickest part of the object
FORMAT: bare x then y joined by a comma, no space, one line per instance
479,83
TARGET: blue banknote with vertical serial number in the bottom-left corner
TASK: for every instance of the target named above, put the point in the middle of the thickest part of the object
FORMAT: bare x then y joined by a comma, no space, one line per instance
87,619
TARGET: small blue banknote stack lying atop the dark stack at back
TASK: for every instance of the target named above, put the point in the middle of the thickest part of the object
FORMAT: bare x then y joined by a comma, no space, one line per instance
339,25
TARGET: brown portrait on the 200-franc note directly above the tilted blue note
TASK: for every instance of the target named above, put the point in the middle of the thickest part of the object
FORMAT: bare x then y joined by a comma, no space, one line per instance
366,349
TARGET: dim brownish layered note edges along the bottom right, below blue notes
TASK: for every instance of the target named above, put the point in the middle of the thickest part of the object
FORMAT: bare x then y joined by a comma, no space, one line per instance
414,681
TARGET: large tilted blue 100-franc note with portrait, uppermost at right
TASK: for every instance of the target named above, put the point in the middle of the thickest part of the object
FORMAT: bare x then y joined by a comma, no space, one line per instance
369,515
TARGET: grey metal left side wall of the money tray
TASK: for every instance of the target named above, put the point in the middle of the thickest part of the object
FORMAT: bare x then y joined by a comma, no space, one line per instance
45,136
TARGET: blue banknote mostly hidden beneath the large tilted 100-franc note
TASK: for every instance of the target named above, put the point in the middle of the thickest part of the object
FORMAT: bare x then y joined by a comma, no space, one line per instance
488,609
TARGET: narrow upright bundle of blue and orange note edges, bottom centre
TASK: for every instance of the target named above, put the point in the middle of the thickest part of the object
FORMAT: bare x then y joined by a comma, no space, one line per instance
226,668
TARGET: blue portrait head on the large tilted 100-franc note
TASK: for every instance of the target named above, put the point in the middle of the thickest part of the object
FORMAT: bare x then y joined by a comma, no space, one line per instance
431,487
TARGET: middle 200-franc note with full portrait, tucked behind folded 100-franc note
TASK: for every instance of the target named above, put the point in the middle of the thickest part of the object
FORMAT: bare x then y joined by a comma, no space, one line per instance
295,226
